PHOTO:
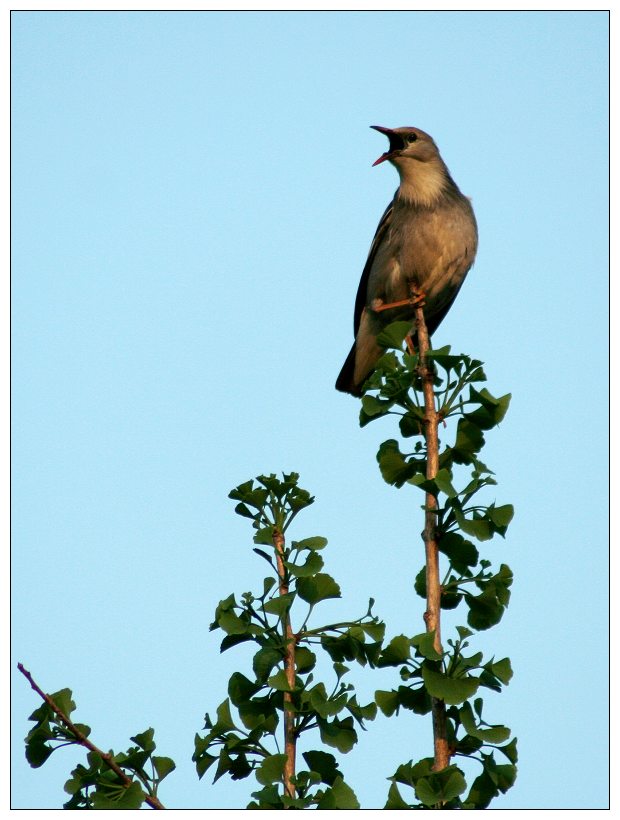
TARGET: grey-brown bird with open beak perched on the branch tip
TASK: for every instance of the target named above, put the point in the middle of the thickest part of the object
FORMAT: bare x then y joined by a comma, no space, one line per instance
426,242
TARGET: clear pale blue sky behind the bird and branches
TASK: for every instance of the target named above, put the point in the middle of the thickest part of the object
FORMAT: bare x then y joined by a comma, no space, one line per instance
192,202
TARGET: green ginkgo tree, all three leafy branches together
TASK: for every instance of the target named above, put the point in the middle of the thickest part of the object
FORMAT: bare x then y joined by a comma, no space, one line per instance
259,725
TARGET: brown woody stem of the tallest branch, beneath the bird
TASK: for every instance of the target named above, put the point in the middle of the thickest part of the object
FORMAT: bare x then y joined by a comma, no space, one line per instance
432,616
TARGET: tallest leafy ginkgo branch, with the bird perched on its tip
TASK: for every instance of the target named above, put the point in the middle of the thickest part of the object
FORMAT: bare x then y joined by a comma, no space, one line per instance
426,390
